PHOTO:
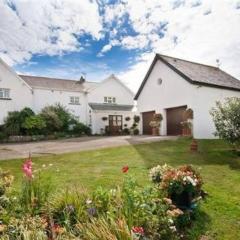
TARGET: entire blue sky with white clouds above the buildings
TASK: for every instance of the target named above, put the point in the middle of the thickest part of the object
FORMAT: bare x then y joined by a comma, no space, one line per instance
70,38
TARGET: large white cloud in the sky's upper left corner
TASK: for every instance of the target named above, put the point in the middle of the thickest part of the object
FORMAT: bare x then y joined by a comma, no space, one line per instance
50,27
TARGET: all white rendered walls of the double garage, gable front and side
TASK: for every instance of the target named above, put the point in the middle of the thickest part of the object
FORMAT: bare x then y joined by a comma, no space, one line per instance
176,91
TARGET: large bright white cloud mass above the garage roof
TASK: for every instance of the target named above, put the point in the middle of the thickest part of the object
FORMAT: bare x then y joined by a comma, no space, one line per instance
203,33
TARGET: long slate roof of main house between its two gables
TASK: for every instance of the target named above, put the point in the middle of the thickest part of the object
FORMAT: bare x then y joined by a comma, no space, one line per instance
58,84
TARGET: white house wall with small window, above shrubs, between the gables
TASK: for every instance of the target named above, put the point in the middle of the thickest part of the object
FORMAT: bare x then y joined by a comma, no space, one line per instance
45,97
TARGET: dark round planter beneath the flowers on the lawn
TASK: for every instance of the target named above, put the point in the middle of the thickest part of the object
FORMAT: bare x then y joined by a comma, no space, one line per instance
182,200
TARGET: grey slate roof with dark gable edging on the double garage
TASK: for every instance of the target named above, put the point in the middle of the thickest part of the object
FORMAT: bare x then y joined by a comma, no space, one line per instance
195,73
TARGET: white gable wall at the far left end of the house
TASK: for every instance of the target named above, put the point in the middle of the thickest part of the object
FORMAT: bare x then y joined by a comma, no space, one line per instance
20,93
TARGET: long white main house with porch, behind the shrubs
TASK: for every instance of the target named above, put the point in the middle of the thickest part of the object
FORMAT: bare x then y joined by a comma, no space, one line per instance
106,105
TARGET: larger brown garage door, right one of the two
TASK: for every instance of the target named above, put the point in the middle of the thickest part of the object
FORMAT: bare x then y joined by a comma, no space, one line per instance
174,119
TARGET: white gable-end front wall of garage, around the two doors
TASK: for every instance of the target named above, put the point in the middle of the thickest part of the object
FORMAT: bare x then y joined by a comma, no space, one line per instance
173,92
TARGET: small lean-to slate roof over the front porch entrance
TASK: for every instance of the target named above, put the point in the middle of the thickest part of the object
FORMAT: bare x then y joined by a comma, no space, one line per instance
110,107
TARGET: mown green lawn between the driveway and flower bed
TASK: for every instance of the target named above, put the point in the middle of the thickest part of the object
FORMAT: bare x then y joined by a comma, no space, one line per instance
219,166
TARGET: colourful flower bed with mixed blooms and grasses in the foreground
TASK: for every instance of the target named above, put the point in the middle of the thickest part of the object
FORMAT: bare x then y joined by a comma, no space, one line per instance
127,211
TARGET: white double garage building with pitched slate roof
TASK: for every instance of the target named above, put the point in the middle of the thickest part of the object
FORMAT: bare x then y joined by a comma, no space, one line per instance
173,85
